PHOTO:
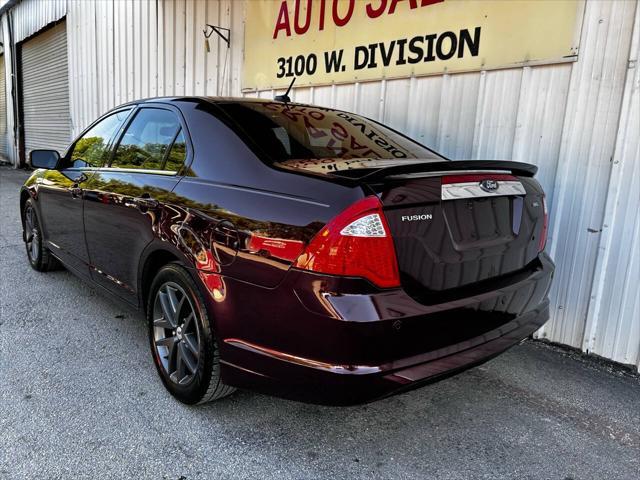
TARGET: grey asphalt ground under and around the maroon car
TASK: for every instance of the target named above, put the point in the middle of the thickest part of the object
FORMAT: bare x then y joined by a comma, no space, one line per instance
79,398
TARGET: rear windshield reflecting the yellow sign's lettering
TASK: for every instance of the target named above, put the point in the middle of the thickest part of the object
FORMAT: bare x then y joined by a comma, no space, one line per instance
295,132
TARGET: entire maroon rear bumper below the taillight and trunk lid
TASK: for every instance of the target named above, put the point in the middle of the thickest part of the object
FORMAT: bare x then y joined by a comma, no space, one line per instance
353,348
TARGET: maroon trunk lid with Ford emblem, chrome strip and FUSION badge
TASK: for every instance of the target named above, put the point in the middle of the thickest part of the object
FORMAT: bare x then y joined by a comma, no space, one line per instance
460,227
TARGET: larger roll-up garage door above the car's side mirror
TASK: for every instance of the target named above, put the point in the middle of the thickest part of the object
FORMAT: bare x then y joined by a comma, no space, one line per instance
45,90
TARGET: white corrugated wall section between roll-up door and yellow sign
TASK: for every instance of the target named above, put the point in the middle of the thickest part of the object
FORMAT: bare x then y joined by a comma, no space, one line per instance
146,49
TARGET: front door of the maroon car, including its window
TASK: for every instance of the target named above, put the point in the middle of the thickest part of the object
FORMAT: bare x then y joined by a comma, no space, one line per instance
61,191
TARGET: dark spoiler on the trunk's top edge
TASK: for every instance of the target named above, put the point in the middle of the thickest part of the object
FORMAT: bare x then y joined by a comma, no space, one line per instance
515,168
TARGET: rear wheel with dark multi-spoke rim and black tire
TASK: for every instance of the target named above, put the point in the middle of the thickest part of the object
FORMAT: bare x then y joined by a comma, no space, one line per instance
182,339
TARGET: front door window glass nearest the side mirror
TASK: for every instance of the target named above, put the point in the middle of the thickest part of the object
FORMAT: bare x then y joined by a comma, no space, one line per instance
91,148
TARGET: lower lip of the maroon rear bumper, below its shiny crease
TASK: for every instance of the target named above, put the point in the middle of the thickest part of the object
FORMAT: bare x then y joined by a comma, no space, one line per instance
327,384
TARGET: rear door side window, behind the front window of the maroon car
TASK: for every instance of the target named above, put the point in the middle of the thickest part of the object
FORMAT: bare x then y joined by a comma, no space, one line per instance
153,141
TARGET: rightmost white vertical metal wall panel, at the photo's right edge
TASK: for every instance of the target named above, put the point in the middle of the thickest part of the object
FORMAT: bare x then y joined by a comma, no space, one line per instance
613,323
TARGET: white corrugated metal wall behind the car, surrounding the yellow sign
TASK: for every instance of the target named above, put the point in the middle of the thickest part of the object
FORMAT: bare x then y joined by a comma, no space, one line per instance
578,122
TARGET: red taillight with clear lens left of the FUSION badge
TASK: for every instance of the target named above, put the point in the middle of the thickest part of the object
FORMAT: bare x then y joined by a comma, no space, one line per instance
356,243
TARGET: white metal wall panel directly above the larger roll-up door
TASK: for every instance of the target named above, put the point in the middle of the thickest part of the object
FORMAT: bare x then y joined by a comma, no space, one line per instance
32,15
